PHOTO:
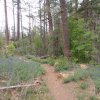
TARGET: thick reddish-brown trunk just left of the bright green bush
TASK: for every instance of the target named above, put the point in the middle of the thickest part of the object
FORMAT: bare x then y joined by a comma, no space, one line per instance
65,28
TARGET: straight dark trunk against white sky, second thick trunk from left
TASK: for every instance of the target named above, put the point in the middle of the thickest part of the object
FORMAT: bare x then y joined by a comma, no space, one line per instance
18,19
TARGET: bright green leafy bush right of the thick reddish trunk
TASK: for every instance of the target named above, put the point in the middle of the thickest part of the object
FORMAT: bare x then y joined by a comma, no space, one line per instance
81,40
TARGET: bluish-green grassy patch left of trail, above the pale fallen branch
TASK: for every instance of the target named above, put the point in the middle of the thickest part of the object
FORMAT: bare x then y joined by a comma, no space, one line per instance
16,70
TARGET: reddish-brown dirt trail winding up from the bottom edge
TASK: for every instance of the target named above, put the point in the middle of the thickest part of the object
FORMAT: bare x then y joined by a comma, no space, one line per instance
56,87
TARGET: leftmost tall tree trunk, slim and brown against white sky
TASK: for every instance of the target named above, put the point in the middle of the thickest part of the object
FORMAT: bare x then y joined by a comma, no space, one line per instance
6,24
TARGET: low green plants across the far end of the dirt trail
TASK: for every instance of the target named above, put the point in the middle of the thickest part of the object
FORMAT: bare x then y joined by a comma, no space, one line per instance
60,63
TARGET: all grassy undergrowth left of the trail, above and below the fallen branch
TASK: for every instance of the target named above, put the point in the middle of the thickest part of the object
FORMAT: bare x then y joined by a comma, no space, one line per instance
18,71
